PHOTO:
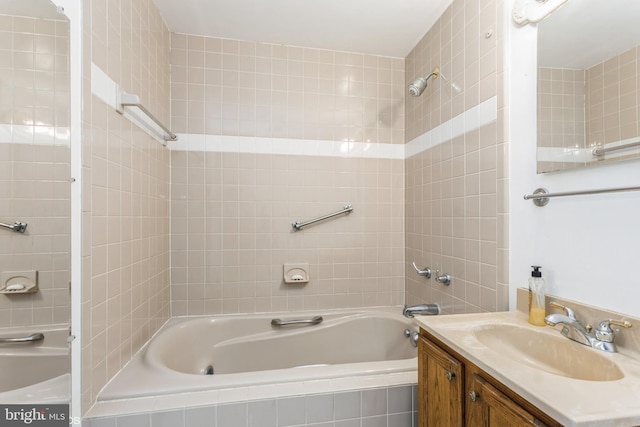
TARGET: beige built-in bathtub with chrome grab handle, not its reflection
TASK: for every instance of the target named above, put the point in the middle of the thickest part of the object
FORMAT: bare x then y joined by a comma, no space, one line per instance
247,350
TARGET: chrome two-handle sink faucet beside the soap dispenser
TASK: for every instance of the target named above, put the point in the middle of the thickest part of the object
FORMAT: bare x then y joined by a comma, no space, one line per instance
602,339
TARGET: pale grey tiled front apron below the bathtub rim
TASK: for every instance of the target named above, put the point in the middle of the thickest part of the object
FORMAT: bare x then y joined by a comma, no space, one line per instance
390,406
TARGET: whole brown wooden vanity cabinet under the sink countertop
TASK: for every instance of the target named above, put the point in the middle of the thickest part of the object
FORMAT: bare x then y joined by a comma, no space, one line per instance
454,392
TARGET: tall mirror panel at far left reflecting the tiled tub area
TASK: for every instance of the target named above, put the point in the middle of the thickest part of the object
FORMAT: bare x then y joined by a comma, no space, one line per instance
35,190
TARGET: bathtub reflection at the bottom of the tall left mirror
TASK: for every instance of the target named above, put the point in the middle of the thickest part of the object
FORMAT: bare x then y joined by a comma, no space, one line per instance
36,372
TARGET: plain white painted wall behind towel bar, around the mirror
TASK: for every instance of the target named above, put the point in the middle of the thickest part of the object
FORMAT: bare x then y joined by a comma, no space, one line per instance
589,246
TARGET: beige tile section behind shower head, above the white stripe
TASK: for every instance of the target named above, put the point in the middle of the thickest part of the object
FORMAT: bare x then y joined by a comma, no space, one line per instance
464,45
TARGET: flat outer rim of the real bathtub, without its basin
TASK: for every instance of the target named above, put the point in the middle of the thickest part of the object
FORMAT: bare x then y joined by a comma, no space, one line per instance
190,399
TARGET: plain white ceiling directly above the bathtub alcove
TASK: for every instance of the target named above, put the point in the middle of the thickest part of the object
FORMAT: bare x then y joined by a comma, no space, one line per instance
378,27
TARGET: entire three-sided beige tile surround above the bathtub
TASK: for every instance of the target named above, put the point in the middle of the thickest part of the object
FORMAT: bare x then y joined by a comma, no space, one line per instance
232,208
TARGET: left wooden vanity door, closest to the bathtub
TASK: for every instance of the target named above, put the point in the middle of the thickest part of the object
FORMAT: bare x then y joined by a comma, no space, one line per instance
440,387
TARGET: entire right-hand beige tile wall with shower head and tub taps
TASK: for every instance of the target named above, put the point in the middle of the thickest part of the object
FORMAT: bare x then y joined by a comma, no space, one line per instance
456,204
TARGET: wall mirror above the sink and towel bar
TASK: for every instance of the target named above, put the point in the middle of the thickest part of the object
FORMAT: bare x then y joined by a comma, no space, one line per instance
588,84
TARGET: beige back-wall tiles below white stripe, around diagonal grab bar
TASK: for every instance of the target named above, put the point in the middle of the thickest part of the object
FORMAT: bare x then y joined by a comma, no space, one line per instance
248,237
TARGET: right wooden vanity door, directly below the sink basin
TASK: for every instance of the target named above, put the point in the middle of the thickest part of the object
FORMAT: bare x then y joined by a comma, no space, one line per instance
489,407
